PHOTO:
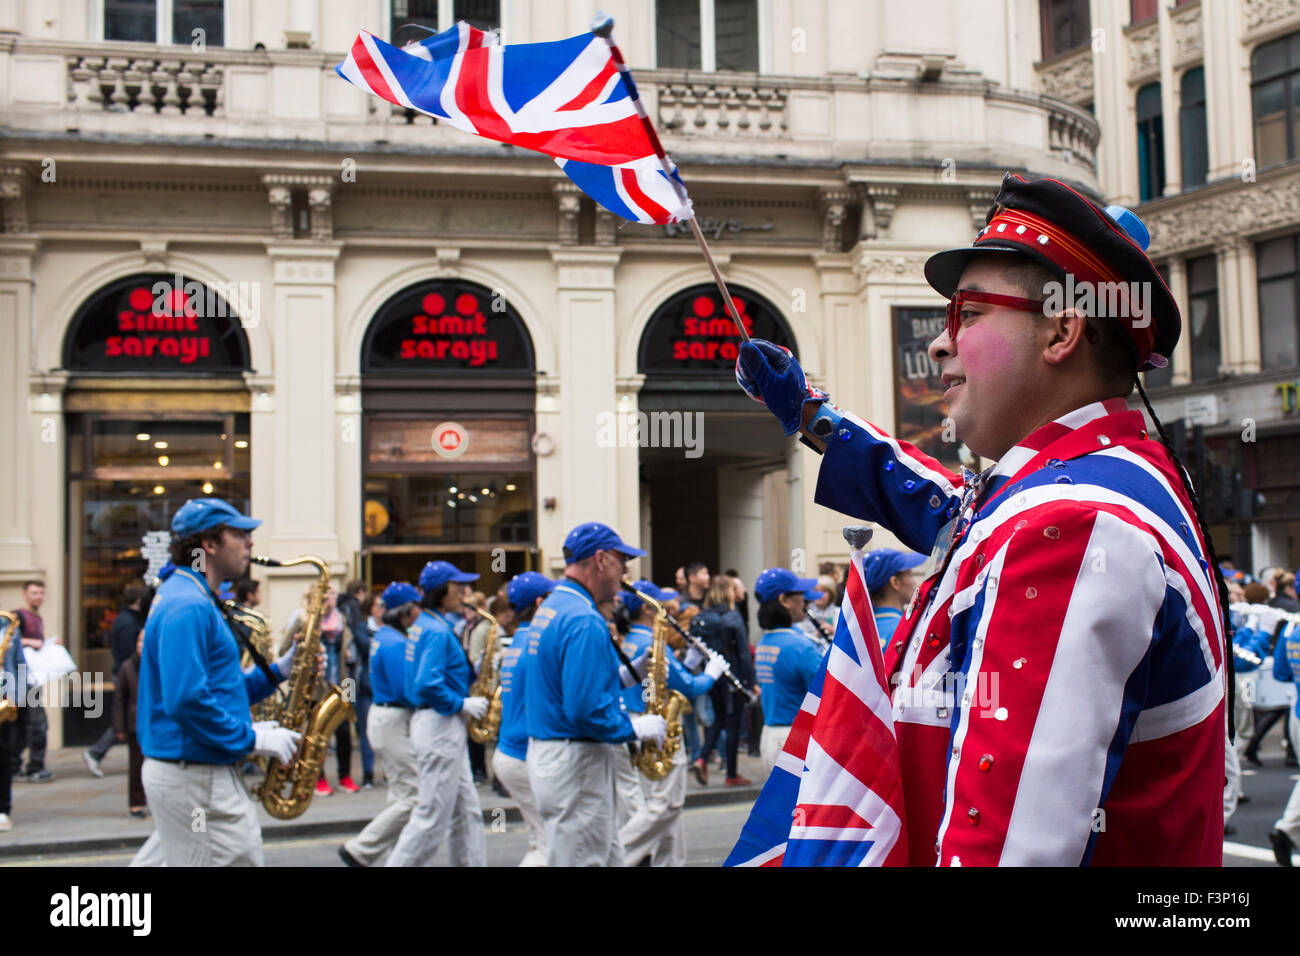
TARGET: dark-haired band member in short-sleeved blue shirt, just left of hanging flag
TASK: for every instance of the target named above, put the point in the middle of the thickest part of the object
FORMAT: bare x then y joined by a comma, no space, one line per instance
786,659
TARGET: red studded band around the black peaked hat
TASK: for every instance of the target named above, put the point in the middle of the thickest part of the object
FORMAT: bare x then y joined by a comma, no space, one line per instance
1047,240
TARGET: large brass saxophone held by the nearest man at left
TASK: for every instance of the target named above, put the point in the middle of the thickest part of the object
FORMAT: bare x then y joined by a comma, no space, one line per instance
288,789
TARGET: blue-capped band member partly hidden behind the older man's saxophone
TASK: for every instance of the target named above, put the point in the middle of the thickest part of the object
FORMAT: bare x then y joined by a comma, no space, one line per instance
657,833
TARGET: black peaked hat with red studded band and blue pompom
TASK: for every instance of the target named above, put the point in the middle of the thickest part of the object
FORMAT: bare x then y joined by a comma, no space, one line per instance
1072,236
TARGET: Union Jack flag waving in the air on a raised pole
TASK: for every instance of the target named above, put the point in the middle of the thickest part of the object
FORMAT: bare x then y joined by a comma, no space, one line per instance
566,98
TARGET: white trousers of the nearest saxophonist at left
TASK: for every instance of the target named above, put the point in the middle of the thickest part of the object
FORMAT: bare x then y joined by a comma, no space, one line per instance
203,817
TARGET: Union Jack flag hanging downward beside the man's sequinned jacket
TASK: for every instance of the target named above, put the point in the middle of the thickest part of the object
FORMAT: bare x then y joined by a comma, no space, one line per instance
835,797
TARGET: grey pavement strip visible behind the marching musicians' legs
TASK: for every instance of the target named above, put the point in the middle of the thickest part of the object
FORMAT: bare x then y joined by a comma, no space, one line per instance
80,814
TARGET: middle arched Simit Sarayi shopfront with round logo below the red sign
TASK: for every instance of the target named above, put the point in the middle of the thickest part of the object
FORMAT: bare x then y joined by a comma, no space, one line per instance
449,469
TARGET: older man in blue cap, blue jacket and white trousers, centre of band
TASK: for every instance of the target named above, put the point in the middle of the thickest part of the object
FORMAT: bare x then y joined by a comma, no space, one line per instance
577,719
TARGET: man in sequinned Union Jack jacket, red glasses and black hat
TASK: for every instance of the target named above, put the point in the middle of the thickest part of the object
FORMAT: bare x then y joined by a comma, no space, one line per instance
1059,682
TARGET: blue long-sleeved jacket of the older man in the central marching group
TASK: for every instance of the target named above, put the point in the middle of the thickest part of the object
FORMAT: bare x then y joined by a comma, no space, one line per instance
574,691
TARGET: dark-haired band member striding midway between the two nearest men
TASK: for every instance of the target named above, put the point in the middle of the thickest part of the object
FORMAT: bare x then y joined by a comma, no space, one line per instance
437,681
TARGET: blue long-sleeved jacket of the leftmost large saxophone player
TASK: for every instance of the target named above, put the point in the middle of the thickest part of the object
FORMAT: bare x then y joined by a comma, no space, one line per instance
193,699
